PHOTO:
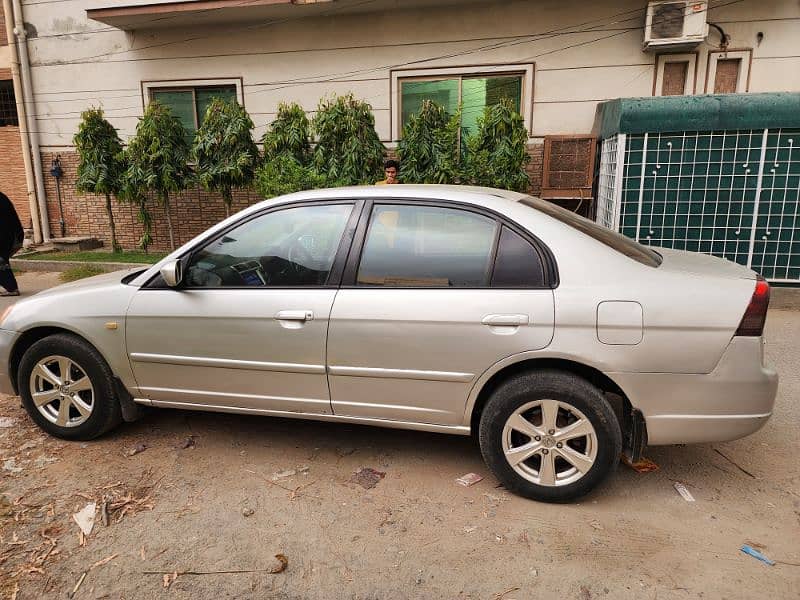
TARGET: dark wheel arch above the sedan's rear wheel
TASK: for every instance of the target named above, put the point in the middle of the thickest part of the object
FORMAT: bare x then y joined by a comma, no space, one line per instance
491,380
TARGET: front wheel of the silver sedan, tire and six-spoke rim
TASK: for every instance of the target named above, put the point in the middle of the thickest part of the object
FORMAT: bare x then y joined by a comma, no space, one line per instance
81,406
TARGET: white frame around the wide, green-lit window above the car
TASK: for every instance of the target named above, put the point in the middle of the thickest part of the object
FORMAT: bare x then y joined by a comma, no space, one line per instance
525,69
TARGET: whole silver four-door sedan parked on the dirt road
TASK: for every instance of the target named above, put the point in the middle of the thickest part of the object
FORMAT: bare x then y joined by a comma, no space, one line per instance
559,344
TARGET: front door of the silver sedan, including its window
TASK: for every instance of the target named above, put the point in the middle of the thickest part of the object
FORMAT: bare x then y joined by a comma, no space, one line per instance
247,327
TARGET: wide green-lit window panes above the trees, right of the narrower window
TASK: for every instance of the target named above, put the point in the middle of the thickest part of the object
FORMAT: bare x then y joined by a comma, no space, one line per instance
473,92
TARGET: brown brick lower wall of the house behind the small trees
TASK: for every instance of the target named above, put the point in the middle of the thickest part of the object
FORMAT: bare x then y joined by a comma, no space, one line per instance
192,212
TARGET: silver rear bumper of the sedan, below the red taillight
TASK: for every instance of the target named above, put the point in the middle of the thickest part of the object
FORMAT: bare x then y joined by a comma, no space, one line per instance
732,401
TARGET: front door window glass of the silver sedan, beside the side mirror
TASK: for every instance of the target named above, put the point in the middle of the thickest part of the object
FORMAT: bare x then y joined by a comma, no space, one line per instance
291,247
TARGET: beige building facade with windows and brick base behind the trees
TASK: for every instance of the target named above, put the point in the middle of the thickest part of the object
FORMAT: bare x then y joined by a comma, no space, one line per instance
556,59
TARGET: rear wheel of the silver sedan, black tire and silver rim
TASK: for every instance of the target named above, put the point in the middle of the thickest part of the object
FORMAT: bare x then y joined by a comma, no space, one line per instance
575,453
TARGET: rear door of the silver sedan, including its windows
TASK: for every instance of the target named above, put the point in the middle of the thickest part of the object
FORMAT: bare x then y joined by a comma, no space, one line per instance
433,295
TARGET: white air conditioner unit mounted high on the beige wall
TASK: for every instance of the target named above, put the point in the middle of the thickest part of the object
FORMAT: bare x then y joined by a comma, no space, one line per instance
675,24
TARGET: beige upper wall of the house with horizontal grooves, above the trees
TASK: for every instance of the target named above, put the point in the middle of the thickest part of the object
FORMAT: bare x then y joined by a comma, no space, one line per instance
78,63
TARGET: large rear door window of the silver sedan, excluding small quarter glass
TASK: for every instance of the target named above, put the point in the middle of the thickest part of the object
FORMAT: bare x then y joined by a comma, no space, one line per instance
426,246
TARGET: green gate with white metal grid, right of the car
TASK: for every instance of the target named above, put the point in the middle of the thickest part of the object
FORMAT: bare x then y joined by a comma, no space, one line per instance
734,194
